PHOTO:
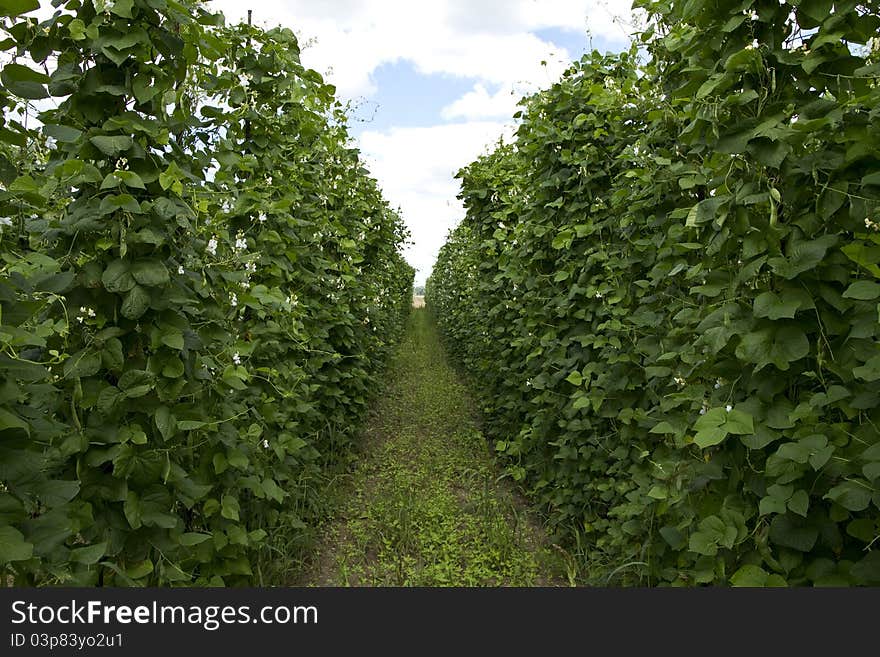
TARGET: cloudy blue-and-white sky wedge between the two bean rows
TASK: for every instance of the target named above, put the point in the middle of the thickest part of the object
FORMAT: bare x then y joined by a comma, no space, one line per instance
434,84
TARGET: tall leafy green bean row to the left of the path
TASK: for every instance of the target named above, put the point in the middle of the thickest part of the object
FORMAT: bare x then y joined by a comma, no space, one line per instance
200,288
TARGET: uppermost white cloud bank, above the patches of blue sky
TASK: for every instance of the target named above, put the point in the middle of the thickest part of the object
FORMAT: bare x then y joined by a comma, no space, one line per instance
491,40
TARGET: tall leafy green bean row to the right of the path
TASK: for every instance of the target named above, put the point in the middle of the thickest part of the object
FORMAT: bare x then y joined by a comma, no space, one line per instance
667,288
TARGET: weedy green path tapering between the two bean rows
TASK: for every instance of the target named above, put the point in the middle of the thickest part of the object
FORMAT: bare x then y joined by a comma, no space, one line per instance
424,506
